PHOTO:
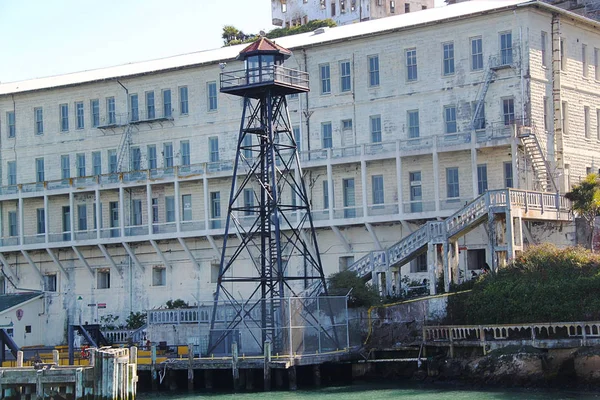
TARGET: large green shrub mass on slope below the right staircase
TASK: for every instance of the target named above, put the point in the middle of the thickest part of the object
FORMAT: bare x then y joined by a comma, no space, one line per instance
544,284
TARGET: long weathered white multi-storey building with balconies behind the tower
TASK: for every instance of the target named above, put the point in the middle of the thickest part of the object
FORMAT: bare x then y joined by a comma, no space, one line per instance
114,182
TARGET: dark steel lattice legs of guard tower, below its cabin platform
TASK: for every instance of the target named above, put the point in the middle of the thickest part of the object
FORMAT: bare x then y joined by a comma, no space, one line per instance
269,229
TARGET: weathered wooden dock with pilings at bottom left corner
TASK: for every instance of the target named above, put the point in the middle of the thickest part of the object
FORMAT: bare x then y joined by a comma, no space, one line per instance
111,375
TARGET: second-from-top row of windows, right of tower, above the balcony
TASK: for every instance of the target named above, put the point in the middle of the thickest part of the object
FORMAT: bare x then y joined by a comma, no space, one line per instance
413,124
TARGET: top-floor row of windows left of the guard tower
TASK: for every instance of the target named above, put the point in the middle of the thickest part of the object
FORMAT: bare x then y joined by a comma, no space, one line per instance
135,114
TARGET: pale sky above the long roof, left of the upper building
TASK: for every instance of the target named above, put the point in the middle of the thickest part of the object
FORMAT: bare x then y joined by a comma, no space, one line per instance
50,37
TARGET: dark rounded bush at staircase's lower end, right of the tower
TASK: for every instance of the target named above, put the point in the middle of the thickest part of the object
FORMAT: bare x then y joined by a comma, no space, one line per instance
362,294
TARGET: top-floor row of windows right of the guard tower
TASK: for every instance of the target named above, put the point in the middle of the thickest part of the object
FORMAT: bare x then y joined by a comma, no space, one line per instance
448,63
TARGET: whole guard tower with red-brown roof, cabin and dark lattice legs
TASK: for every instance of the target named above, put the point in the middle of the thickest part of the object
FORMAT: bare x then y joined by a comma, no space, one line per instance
270,251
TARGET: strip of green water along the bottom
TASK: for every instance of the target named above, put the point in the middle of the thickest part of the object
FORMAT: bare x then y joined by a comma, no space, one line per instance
387,391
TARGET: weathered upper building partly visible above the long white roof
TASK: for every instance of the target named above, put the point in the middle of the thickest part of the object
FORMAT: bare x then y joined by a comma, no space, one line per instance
286,13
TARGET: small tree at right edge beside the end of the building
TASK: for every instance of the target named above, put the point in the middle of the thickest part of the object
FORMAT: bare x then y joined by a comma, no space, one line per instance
585,201
